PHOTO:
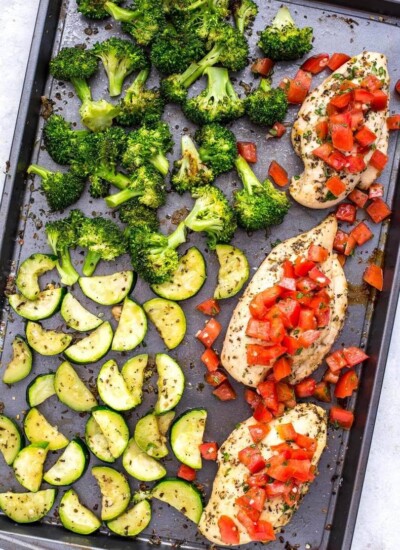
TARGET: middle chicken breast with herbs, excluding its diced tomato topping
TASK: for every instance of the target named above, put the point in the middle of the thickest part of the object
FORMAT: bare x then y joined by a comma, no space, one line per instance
234,351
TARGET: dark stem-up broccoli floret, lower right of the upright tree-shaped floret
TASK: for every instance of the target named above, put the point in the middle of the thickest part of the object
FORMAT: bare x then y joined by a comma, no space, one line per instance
140,105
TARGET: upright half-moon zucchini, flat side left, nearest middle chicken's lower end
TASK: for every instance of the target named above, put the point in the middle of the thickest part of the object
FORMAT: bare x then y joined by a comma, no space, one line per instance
171,383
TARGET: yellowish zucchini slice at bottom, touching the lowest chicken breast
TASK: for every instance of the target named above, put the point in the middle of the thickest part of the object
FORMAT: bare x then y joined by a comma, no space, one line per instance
181,495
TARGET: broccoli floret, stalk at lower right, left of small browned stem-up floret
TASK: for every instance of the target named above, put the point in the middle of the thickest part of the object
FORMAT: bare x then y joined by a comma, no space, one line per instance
149,144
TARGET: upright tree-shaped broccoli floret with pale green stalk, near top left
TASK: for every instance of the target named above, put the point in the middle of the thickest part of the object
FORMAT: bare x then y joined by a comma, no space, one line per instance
120,58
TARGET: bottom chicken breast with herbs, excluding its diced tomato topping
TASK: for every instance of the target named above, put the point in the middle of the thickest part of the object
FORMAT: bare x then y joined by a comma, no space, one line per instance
307,419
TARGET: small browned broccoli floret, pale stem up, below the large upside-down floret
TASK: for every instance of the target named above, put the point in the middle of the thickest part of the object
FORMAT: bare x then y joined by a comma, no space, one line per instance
189,170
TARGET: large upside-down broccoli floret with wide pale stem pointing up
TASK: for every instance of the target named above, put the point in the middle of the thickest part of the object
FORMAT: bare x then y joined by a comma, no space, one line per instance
218,102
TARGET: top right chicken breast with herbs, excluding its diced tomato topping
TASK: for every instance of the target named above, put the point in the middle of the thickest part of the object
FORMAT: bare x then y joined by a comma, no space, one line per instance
309,188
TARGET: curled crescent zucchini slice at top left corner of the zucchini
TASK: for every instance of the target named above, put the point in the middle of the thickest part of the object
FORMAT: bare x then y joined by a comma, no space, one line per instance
29,272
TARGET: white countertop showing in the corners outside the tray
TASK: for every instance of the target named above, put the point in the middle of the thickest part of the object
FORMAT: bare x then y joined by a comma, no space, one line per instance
377,523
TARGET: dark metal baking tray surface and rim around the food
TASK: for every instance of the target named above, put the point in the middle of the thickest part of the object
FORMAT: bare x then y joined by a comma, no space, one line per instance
327,516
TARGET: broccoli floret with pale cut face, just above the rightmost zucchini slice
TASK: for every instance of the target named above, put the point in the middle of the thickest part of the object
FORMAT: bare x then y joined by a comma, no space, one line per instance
213,215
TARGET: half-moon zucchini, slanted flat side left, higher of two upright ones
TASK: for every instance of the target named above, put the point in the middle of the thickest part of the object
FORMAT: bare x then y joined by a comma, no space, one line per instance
132,327
